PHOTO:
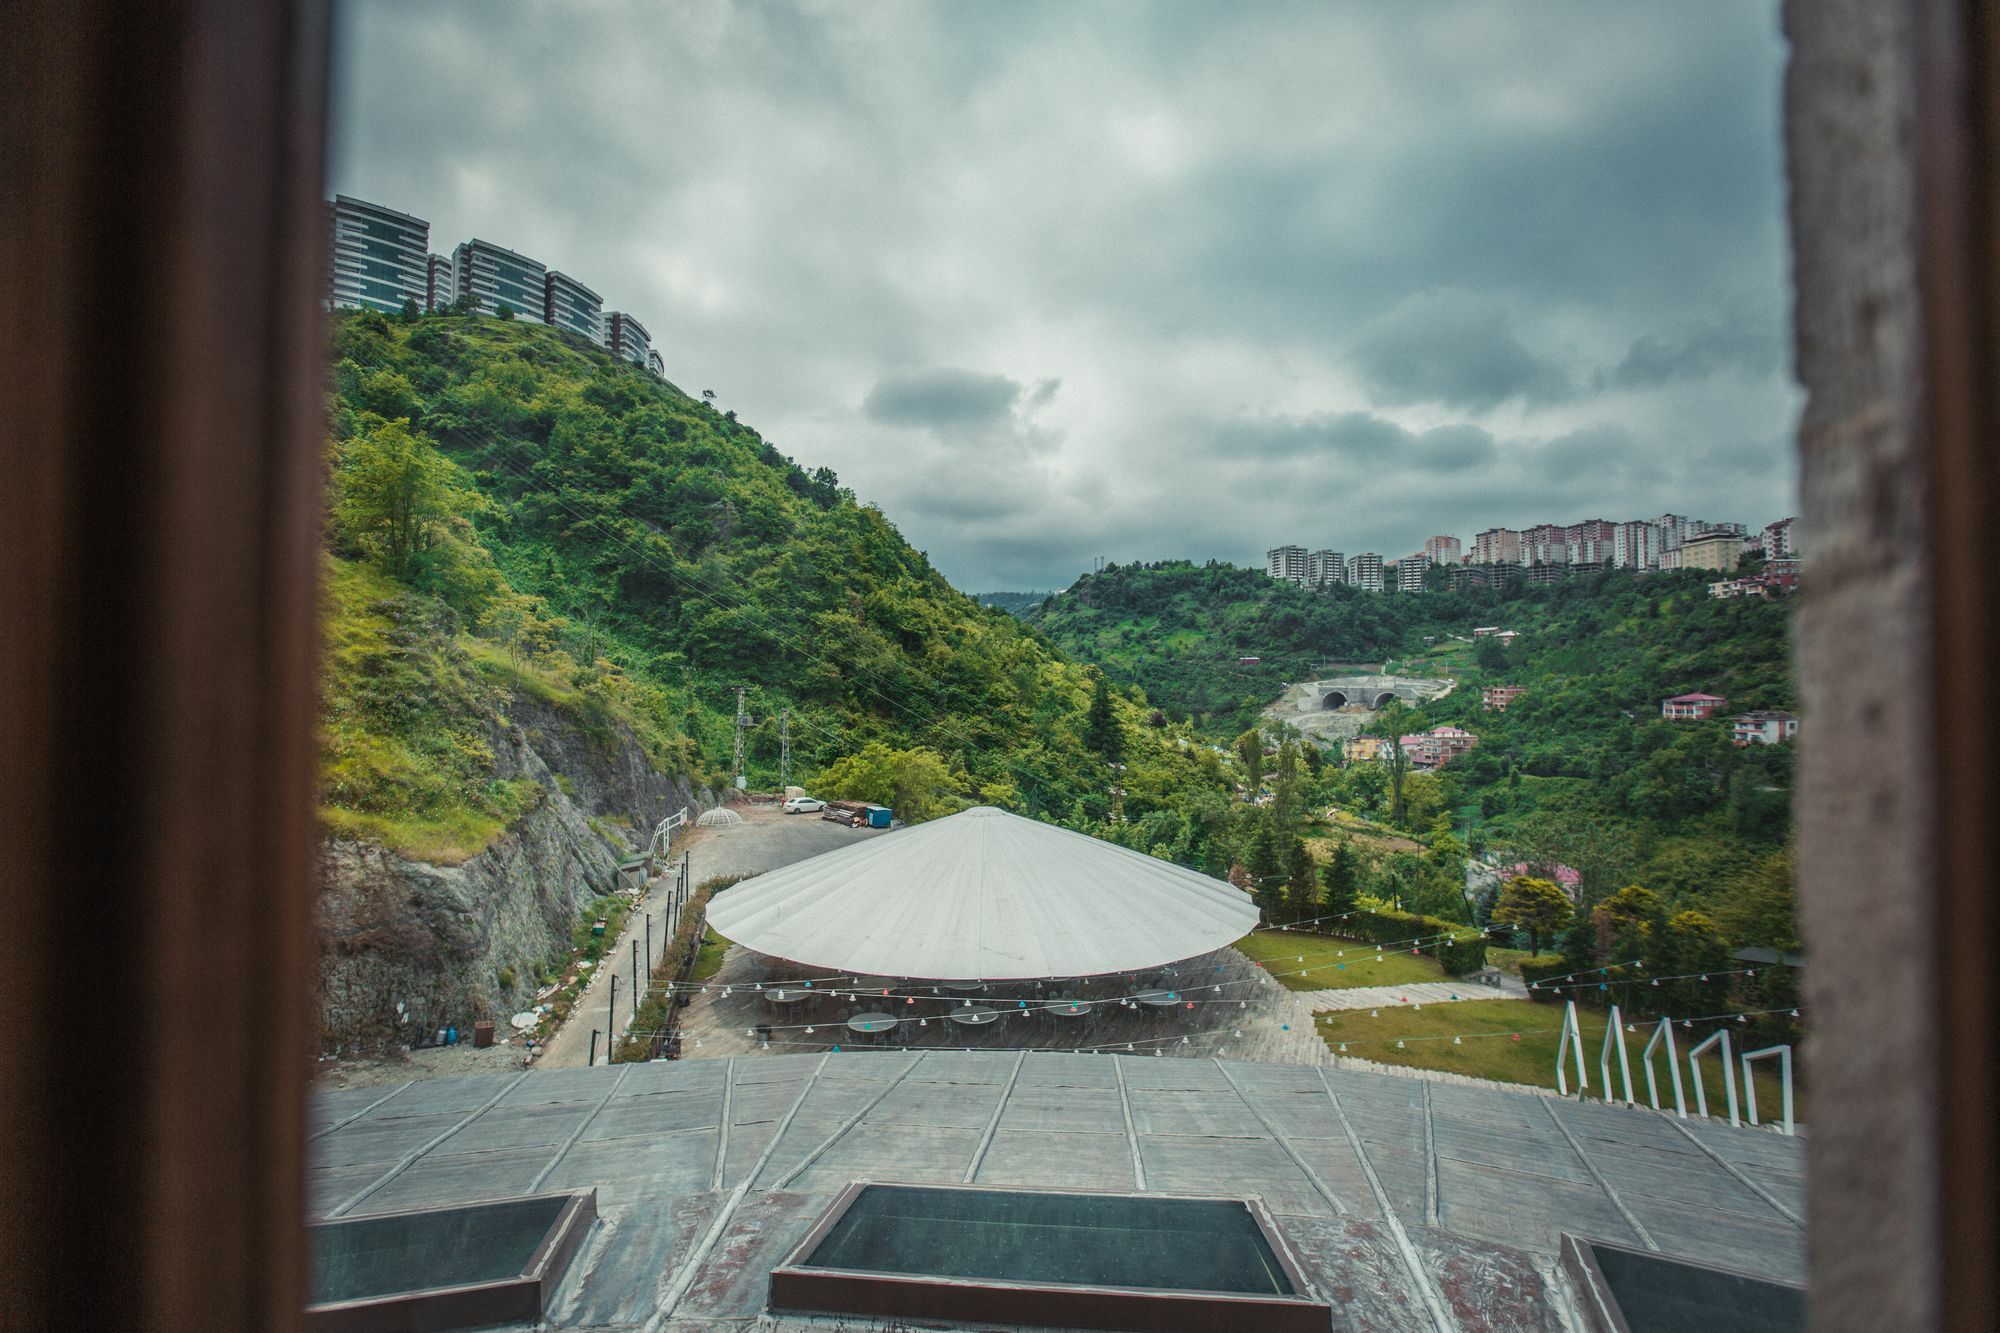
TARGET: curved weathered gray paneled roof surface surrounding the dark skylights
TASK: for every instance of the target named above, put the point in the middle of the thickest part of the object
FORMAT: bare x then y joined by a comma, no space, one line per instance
1421,1204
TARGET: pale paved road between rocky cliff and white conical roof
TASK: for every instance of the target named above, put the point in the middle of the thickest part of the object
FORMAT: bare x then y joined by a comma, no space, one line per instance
765,842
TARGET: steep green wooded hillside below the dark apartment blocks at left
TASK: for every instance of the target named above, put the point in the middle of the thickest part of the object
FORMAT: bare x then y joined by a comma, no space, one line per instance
519,515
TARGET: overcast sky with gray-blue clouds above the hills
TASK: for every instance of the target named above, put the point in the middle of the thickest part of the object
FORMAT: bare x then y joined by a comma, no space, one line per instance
1069,281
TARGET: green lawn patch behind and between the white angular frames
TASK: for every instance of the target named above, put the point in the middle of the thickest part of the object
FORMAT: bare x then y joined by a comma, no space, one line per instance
1489,1050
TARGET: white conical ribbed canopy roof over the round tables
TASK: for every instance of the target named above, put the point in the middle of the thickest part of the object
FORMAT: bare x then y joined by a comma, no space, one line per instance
983,896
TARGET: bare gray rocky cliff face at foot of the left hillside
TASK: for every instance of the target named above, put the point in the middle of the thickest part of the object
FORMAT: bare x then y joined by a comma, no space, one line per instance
411,948
